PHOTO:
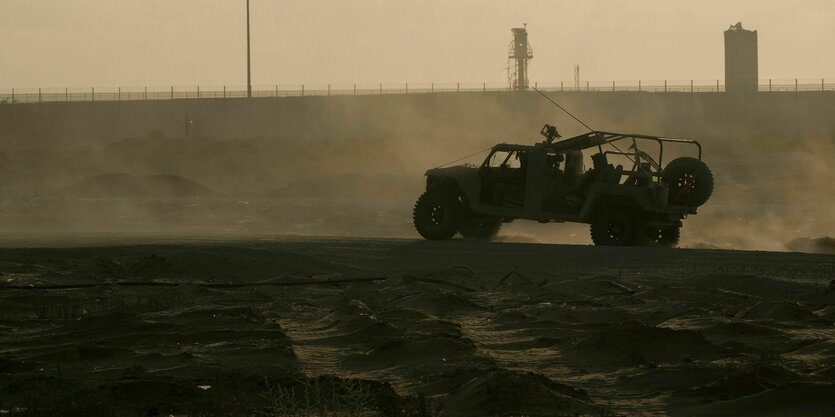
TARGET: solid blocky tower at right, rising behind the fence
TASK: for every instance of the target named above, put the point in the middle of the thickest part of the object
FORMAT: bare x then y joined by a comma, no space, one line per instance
741,70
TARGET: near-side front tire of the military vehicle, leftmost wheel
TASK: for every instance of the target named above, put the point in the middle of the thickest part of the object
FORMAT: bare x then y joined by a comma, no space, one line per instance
438,214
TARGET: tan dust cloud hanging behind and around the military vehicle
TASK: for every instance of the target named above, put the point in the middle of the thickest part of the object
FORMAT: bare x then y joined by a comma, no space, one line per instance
354,168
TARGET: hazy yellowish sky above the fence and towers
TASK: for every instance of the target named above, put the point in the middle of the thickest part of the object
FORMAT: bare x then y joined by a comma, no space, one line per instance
75,43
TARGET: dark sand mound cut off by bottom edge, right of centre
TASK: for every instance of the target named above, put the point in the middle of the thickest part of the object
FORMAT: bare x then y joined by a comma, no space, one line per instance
503,393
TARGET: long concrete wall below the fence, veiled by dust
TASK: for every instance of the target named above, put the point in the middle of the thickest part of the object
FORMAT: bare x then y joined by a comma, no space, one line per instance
499,114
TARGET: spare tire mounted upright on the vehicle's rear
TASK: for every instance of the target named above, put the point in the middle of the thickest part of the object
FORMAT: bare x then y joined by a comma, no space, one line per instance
690,181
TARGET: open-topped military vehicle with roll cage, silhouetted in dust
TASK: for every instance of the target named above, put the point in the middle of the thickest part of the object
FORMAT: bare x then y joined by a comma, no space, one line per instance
547,182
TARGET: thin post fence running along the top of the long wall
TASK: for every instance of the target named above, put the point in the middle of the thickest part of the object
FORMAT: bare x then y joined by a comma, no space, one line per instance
92,94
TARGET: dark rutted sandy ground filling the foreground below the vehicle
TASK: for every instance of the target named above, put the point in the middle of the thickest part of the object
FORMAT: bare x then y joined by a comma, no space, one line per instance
405,327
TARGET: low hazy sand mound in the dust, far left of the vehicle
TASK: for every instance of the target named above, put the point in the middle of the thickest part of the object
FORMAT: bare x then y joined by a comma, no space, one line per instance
129,186
